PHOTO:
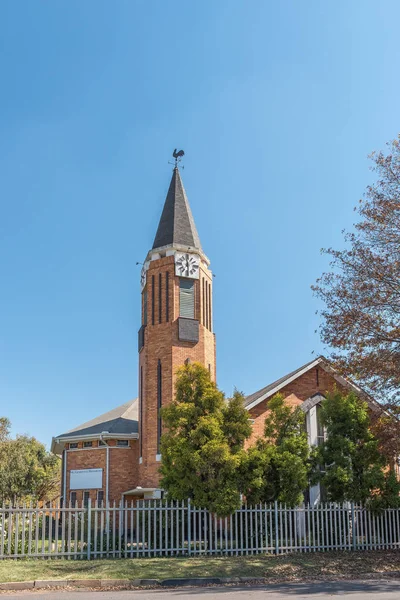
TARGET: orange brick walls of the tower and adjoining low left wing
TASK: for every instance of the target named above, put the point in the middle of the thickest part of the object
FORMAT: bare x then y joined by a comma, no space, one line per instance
138,465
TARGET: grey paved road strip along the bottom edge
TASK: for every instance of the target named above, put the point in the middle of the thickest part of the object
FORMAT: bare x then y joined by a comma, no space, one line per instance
372,590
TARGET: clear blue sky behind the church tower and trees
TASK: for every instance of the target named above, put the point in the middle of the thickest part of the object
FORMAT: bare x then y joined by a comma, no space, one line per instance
276,104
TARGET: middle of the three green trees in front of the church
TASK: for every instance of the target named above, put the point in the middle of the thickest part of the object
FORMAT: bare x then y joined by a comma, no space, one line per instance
276,467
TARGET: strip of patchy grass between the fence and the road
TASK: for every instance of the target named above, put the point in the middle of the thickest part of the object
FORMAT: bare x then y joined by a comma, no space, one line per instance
289,567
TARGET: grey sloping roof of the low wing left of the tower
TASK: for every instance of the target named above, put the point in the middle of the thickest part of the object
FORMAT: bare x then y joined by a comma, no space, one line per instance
120,420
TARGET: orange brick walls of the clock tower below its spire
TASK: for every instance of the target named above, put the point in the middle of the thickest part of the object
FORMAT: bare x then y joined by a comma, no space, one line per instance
161,342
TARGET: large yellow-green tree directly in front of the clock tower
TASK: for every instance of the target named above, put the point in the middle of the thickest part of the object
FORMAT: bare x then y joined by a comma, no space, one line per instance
203,443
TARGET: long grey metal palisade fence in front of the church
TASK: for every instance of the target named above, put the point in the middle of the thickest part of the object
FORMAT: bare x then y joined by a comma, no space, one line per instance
162,528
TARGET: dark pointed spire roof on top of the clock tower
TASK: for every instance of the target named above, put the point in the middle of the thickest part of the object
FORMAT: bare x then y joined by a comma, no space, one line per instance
177,224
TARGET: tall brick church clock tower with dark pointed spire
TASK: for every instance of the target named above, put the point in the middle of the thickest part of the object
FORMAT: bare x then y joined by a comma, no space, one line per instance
176,320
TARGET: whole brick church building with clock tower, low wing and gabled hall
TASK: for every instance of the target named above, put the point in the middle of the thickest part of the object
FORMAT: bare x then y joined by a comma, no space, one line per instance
117,455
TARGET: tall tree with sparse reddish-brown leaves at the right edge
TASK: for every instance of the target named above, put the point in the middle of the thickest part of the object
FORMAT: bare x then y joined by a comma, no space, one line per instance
361,318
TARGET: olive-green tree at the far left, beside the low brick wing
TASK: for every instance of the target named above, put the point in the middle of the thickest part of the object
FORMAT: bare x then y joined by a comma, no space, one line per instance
27,470
